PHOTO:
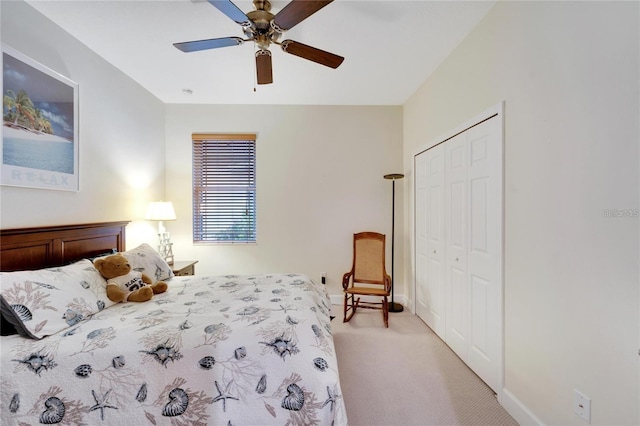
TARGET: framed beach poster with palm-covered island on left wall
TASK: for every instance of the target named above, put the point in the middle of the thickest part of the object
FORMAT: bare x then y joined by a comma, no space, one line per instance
39,125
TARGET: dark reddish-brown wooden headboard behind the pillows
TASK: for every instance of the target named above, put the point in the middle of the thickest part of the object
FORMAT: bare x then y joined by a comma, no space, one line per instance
49,246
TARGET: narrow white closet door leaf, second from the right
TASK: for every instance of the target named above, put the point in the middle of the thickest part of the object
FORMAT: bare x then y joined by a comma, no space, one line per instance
457,291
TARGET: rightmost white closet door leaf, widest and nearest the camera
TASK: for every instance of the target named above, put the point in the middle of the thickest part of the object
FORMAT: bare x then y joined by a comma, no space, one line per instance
485,249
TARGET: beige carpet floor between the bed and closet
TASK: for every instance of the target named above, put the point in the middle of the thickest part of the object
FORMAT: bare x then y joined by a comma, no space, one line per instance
406,375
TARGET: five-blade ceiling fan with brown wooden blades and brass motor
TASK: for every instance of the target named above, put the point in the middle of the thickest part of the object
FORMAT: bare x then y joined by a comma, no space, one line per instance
264,28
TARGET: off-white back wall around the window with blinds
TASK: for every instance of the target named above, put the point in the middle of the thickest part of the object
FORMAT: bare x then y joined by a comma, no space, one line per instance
319,177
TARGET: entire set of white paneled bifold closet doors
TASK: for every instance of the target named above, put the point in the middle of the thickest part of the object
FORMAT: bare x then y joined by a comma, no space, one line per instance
458,223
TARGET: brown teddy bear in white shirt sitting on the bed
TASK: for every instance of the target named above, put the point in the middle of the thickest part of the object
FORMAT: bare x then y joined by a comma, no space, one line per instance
125,284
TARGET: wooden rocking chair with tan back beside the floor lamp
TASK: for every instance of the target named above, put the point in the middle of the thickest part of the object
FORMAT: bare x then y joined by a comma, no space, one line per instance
368,276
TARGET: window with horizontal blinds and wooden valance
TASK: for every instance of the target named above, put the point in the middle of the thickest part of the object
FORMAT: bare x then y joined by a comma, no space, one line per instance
224,188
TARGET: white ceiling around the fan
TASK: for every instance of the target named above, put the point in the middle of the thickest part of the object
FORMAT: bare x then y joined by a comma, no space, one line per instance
390,47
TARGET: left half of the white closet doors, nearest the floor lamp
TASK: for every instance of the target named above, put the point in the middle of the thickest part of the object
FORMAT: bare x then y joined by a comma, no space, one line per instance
430,261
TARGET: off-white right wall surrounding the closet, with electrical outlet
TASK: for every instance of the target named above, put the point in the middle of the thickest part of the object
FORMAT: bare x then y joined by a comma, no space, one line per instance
568,73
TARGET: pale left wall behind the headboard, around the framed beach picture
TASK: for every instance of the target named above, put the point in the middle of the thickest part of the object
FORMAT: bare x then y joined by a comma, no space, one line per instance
121,135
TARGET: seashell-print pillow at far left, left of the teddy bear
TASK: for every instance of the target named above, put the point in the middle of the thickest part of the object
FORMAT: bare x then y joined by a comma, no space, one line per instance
43,302
